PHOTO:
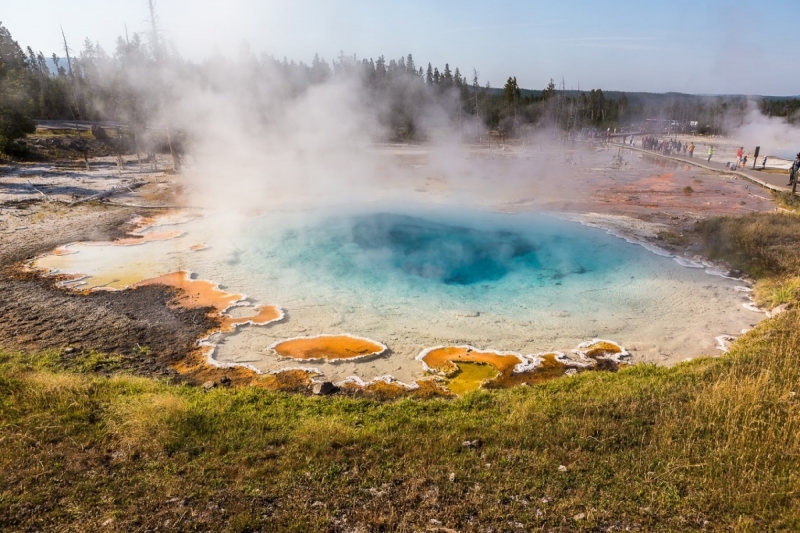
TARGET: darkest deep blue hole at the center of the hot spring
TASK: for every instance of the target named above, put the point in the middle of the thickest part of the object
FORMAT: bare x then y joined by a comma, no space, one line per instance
454,255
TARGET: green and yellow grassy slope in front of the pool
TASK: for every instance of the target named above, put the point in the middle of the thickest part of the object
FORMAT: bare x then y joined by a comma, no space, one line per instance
707,445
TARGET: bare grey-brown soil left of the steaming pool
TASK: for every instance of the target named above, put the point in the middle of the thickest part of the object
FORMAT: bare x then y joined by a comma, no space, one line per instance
148,334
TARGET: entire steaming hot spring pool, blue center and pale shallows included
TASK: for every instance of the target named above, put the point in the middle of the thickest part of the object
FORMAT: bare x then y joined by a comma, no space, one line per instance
418,278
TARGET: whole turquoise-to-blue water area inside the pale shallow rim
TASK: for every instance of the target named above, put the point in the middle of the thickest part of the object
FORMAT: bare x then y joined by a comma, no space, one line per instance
446,254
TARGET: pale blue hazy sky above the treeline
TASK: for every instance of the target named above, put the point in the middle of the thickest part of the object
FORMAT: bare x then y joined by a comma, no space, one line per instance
700,47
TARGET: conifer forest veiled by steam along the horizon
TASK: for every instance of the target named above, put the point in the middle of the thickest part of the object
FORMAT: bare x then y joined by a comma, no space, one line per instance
136,83
